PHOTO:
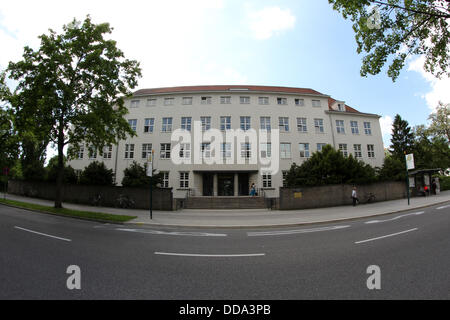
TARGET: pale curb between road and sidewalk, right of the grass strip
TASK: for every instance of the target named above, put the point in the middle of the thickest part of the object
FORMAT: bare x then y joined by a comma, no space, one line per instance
280,225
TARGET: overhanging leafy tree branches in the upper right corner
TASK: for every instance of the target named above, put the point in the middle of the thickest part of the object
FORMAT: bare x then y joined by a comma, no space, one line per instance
395,29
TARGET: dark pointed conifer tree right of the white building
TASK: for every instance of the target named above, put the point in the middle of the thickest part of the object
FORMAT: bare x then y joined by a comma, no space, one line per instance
402,140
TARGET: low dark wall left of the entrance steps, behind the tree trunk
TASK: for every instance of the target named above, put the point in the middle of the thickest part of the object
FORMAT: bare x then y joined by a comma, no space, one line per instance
89,195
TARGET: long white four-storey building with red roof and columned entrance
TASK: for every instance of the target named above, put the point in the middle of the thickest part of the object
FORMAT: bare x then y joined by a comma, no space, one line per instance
307,120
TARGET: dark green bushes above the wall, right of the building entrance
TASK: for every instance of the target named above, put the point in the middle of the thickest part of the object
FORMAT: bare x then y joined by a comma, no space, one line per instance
330,167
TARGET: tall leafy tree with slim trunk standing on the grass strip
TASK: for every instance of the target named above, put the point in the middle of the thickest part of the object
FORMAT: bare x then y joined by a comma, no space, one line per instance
74,87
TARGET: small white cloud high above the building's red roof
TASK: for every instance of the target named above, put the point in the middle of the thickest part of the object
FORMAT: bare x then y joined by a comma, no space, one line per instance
270,21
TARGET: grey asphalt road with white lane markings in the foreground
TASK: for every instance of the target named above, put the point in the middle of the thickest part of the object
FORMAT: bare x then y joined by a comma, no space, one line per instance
323,261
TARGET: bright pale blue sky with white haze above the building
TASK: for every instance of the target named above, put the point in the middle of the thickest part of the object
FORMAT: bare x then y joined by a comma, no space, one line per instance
295,43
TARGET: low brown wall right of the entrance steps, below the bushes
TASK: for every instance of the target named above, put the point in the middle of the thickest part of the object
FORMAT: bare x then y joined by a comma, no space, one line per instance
337,195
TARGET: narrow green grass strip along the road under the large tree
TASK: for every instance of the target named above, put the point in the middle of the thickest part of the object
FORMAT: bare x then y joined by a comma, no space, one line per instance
70,213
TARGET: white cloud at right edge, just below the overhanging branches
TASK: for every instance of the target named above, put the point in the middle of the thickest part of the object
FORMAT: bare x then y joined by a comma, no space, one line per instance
439,87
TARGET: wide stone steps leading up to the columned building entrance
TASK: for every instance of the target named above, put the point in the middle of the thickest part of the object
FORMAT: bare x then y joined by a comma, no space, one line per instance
242,202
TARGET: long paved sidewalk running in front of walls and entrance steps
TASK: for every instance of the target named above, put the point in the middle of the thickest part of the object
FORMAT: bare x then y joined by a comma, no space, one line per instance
254,217
